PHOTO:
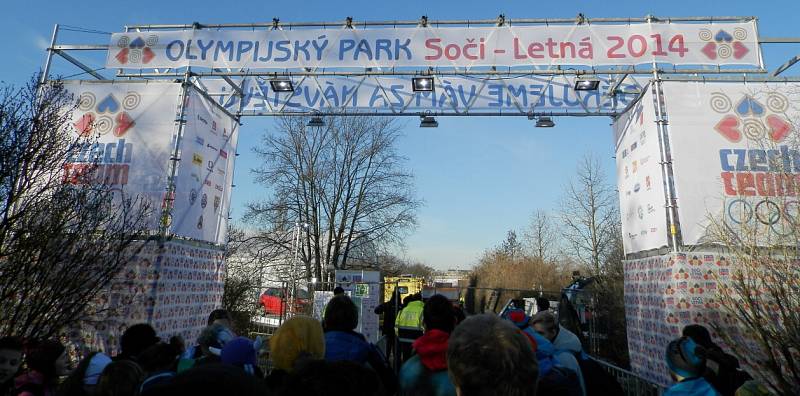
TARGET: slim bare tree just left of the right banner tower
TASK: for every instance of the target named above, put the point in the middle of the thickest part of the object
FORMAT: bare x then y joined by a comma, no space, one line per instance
589,214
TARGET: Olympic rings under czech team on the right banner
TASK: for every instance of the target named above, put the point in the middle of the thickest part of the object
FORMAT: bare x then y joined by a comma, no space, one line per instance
781,220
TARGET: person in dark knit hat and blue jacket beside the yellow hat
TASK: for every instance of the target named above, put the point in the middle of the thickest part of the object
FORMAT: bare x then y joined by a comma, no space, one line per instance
342,342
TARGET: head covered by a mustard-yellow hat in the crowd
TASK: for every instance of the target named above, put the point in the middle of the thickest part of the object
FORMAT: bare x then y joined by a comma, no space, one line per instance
300,337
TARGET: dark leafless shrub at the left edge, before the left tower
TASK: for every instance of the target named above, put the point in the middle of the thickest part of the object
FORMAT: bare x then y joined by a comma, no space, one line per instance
62,240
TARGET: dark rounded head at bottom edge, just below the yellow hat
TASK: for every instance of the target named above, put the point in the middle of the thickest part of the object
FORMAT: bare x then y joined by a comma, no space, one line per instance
321,377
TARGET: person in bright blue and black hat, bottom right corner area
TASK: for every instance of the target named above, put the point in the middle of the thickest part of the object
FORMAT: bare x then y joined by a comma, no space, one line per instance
687,363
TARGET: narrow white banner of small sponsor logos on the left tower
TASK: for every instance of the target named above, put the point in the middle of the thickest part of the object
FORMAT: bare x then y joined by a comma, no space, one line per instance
205,175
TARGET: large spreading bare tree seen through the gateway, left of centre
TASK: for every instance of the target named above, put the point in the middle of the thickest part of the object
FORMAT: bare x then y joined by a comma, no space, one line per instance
343,183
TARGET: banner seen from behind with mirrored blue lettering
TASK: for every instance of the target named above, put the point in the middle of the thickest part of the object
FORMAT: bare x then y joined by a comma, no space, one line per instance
452,95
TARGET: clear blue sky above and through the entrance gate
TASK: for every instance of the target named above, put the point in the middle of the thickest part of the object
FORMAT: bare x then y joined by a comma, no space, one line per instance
479,176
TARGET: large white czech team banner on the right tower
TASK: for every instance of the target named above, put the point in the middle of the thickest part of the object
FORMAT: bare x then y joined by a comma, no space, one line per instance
735,154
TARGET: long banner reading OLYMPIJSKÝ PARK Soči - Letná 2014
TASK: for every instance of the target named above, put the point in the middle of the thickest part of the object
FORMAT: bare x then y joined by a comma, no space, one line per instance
585,45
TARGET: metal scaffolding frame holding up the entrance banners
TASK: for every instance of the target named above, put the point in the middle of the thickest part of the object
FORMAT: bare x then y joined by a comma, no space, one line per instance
619,80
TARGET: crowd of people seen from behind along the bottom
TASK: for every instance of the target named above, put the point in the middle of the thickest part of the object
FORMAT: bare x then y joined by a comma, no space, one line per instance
511,354
